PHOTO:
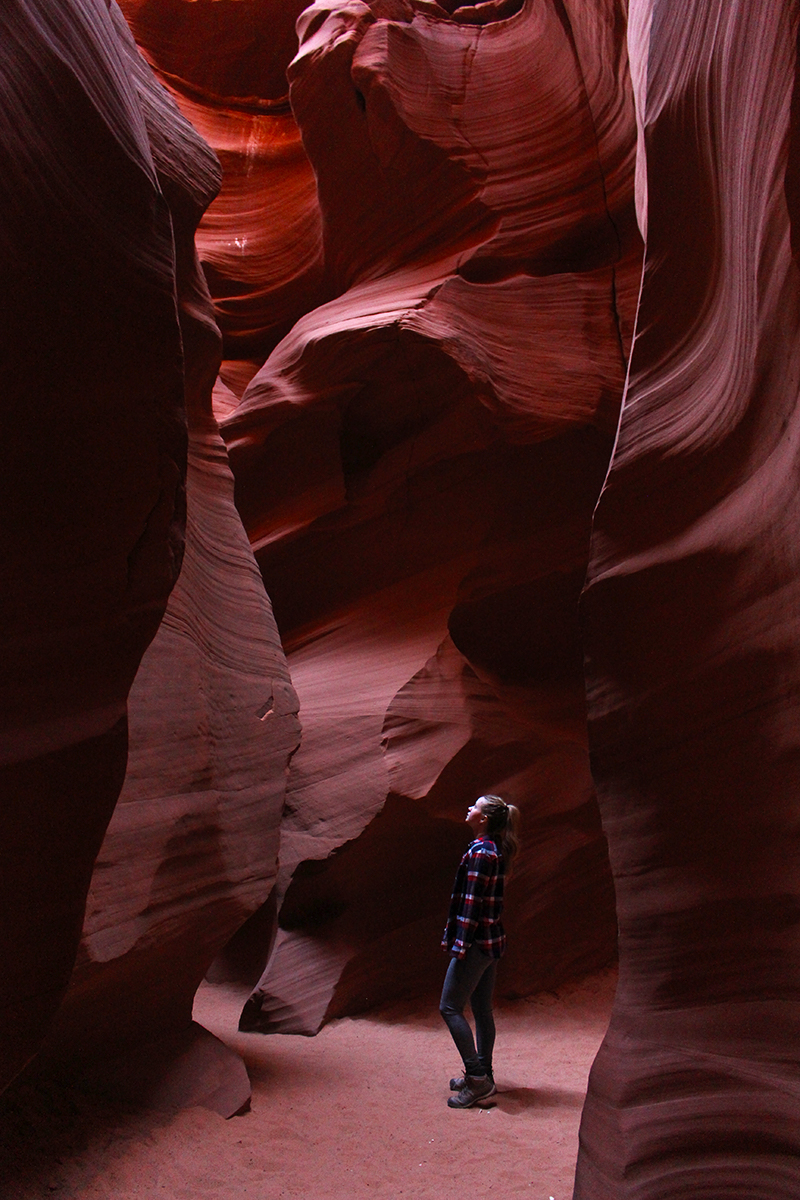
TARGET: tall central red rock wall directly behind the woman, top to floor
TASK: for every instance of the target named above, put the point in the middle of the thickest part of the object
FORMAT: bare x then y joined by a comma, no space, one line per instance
417,465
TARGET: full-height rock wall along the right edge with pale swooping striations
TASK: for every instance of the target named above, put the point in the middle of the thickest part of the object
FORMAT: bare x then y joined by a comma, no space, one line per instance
693,645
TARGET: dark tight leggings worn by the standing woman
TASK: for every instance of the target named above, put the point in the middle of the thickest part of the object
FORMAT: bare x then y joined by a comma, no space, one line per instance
471,979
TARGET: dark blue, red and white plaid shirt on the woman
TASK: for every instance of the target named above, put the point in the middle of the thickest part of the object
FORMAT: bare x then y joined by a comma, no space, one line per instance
477,903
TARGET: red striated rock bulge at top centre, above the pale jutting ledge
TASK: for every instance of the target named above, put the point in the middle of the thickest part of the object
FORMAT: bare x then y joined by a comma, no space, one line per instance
446,130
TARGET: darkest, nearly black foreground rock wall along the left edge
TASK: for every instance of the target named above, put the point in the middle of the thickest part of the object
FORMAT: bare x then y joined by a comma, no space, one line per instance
94,505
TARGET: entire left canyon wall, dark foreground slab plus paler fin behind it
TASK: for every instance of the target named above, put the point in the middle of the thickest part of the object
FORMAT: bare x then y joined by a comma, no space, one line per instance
112,346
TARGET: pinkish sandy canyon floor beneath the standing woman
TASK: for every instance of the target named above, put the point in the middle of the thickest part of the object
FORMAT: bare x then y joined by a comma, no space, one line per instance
358,1112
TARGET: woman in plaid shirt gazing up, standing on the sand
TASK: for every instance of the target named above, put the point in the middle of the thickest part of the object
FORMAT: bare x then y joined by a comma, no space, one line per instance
476,939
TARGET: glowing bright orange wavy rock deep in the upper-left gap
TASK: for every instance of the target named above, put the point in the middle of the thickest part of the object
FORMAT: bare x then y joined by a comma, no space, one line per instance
225,63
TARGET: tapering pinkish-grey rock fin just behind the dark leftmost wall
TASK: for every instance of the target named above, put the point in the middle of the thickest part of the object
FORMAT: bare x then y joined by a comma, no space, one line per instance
191,850
